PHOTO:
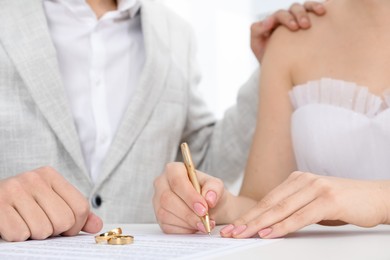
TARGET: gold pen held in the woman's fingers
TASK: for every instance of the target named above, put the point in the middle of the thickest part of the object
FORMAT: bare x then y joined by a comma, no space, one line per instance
194,180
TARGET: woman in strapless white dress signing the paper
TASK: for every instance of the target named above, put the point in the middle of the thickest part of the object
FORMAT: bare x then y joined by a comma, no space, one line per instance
321,150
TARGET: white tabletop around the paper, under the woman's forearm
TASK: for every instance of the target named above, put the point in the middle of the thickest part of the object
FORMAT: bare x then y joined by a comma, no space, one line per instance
314,242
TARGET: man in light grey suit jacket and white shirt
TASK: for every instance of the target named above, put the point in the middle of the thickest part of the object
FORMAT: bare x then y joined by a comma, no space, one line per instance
95,98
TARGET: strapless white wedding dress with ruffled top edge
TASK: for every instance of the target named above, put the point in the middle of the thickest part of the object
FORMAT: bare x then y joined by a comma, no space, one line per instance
341,129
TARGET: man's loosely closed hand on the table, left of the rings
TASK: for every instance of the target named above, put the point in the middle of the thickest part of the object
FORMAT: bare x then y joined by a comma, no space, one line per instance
41,203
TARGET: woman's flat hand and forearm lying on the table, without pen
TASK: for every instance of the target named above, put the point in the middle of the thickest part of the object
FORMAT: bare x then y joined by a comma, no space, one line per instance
305,199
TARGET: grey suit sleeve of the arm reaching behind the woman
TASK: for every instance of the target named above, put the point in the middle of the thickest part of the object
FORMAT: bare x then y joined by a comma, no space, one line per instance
220,148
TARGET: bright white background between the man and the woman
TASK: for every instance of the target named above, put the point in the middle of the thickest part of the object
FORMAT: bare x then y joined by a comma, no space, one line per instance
223,34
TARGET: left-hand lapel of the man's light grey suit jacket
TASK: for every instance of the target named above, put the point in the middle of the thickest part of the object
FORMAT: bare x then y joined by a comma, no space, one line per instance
26,38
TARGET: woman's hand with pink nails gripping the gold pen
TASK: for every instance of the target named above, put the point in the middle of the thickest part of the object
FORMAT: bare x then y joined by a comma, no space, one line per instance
178,205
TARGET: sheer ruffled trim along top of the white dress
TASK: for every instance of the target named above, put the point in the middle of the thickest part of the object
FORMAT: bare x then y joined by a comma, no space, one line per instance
339,93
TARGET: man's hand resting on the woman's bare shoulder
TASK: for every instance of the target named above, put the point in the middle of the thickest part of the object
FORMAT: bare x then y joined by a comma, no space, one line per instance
294,18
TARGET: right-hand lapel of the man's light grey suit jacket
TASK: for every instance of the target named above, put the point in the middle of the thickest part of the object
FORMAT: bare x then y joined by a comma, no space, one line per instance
149,89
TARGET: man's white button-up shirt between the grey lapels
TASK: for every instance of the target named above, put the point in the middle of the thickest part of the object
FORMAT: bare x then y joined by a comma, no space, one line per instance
100,61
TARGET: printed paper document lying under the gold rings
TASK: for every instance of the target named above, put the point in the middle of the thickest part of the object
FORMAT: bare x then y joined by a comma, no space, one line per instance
148,245
